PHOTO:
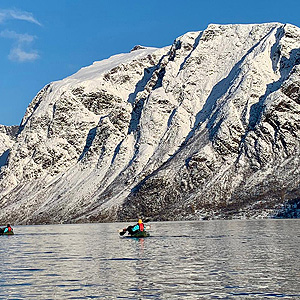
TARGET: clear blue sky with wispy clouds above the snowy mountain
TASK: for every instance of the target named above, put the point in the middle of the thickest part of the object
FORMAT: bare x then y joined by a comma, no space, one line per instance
43,41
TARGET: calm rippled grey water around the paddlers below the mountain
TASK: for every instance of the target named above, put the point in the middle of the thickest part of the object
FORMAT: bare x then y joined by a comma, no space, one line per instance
181,260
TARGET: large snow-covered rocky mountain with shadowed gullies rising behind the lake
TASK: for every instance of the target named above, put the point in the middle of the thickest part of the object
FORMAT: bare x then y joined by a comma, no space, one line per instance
205,128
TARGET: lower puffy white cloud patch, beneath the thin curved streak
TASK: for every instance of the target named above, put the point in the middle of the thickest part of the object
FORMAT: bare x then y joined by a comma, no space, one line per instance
18,53
